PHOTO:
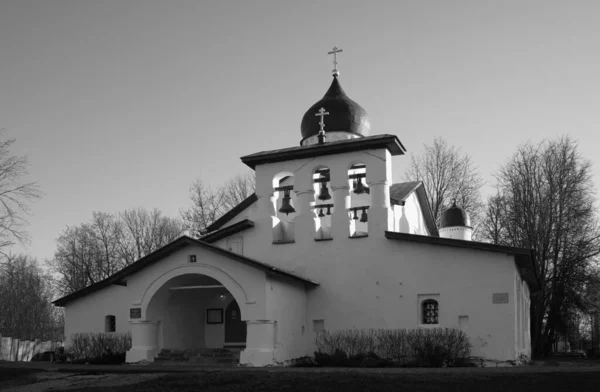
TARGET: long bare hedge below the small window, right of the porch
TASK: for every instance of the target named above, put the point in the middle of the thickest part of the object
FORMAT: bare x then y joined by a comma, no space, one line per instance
393,347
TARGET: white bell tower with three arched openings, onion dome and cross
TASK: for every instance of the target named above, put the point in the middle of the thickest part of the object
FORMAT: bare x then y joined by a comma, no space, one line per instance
335,186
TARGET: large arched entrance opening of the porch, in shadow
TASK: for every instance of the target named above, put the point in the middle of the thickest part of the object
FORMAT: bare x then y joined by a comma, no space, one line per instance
192,311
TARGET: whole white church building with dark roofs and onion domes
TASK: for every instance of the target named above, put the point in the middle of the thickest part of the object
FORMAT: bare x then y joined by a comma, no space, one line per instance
327,242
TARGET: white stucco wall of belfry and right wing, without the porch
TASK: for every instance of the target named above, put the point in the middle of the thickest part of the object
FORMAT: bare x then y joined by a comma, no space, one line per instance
375,282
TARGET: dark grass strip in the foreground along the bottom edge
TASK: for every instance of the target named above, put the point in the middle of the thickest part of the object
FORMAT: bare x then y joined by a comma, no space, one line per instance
478,380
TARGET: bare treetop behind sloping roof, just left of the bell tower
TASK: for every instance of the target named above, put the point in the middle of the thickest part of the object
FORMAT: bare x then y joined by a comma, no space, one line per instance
209,204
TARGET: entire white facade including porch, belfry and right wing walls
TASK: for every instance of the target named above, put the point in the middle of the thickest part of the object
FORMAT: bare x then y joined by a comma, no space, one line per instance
364,281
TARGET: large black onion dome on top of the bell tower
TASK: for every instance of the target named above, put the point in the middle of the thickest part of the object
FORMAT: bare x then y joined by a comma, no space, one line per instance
345,115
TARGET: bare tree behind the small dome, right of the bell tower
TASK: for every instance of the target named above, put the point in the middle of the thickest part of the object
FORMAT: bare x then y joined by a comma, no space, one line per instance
447,175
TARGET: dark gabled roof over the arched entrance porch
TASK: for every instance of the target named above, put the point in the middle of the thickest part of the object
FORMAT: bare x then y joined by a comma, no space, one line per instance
119,277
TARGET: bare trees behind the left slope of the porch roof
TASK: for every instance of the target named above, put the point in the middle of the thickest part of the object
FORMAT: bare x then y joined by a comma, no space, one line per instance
93,251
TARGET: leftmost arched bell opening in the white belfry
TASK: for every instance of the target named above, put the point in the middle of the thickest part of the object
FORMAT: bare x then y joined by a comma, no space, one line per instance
284,200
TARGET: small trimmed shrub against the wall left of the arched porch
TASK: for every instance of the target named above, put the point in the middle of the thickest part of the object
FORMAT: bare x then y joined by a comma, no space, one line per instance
99,348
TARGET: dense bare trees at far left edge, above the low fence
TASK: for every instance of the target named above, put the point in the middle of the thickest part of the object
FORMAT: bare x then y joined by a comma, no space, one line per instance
25,301
